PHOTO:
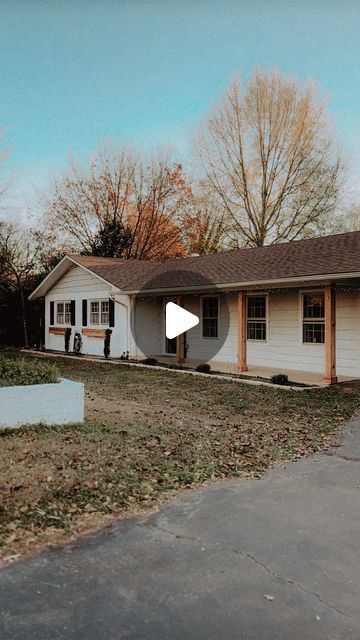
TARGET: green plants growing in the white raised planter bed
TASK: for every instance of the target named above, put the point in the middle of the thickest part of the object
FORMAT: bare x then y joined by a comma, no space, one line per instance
19,371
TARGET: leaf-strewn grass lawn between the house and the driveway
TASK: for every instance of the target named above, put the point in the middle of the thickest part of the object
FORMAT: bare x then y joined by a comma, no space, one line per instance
147,434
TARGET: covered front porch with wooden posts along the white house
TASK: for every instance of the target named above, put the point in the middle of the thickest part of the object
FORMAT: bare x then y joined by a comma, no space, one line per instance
280,334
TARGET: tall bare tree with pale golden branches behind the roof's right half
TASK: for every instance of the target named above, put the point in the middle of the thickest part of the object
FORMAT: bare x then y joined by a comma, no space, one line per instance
270,160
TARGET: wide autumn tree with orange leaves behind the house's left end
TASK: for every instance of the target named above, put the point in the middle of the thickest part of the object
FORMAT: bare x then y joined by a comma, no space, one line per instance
143,198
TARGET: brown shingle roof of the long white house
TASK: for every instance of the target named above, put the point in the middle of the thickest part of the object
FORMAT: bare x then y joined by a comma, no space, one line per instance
336,254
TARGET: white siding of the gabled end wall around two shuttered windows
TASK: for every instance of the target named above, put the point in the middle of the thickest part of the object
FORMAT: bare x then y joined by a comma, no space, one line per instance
77,284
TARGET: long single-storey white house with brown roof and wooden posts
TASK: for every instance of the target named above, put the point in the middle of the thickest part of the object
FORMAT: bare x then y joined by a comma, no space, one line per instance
289,307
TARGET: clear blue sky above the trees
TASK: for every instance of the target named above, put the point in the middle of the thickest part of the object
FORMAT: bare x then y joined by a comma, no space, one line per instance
74,73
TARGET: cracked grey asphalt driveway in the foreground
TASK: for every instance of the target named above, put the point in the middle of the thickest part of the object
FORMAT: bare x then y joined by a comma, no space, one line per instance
270,559
